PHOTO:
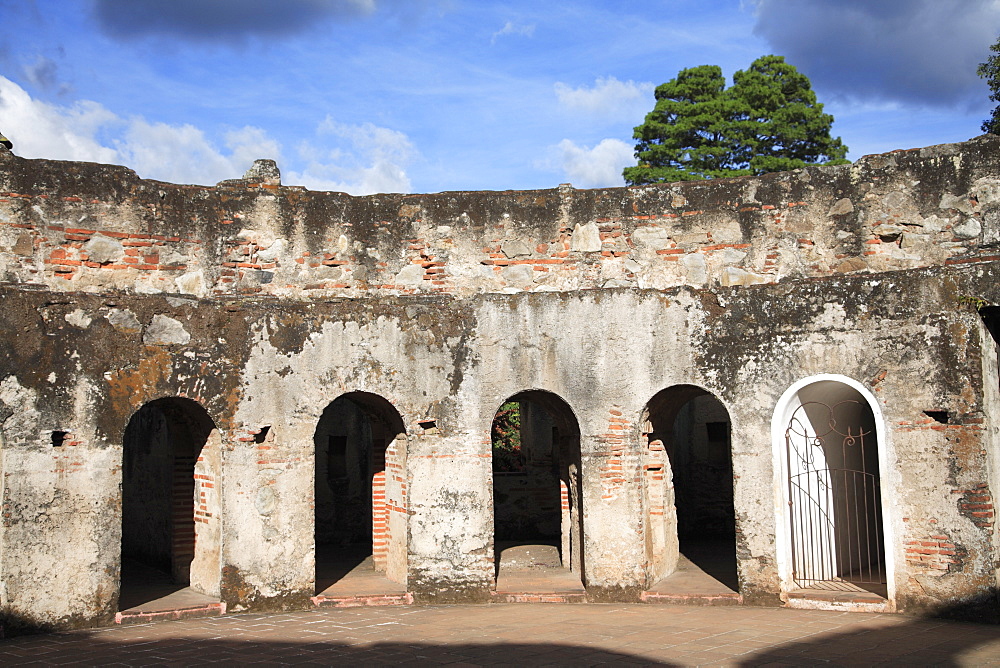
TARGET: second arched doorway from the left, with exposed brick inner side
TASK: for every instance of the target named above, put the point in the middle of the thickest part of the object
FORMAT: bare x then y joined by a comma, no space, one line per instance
360,495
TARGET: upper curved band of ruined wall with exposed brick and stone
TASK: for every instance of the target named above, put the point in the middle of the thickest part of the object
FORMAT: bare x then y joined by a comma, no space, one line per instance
83,227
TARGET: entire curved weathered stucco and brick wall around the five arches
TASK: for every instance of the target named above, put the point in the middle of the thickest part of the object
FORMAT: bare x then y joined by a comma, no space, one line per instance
868,272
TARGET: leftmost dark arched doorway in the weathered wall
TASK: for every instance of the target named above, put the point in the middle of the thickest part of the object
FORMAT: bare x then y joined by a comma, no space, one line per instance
170,505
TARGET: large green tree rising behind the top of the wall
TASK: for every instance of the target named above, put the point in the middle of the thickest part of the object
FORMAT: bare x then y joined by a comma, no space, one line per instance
767,121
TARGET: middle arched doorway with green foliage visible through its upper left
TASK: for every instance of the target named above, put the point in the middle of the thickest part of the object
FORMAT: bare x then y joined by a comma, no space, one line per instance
537,494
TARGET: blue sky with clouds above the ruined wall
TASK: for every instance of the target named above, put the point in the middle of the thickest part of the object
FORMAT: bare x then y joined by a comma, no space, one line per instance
407,96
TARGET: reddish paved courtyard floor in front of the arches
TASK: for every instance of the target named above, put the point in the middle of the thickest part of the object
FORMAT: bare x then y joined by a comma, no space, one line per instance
535,634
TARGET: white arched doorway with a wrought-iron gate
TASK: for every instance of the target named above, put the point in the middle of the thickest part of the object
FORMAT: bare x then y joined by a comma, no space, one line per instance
832,486
